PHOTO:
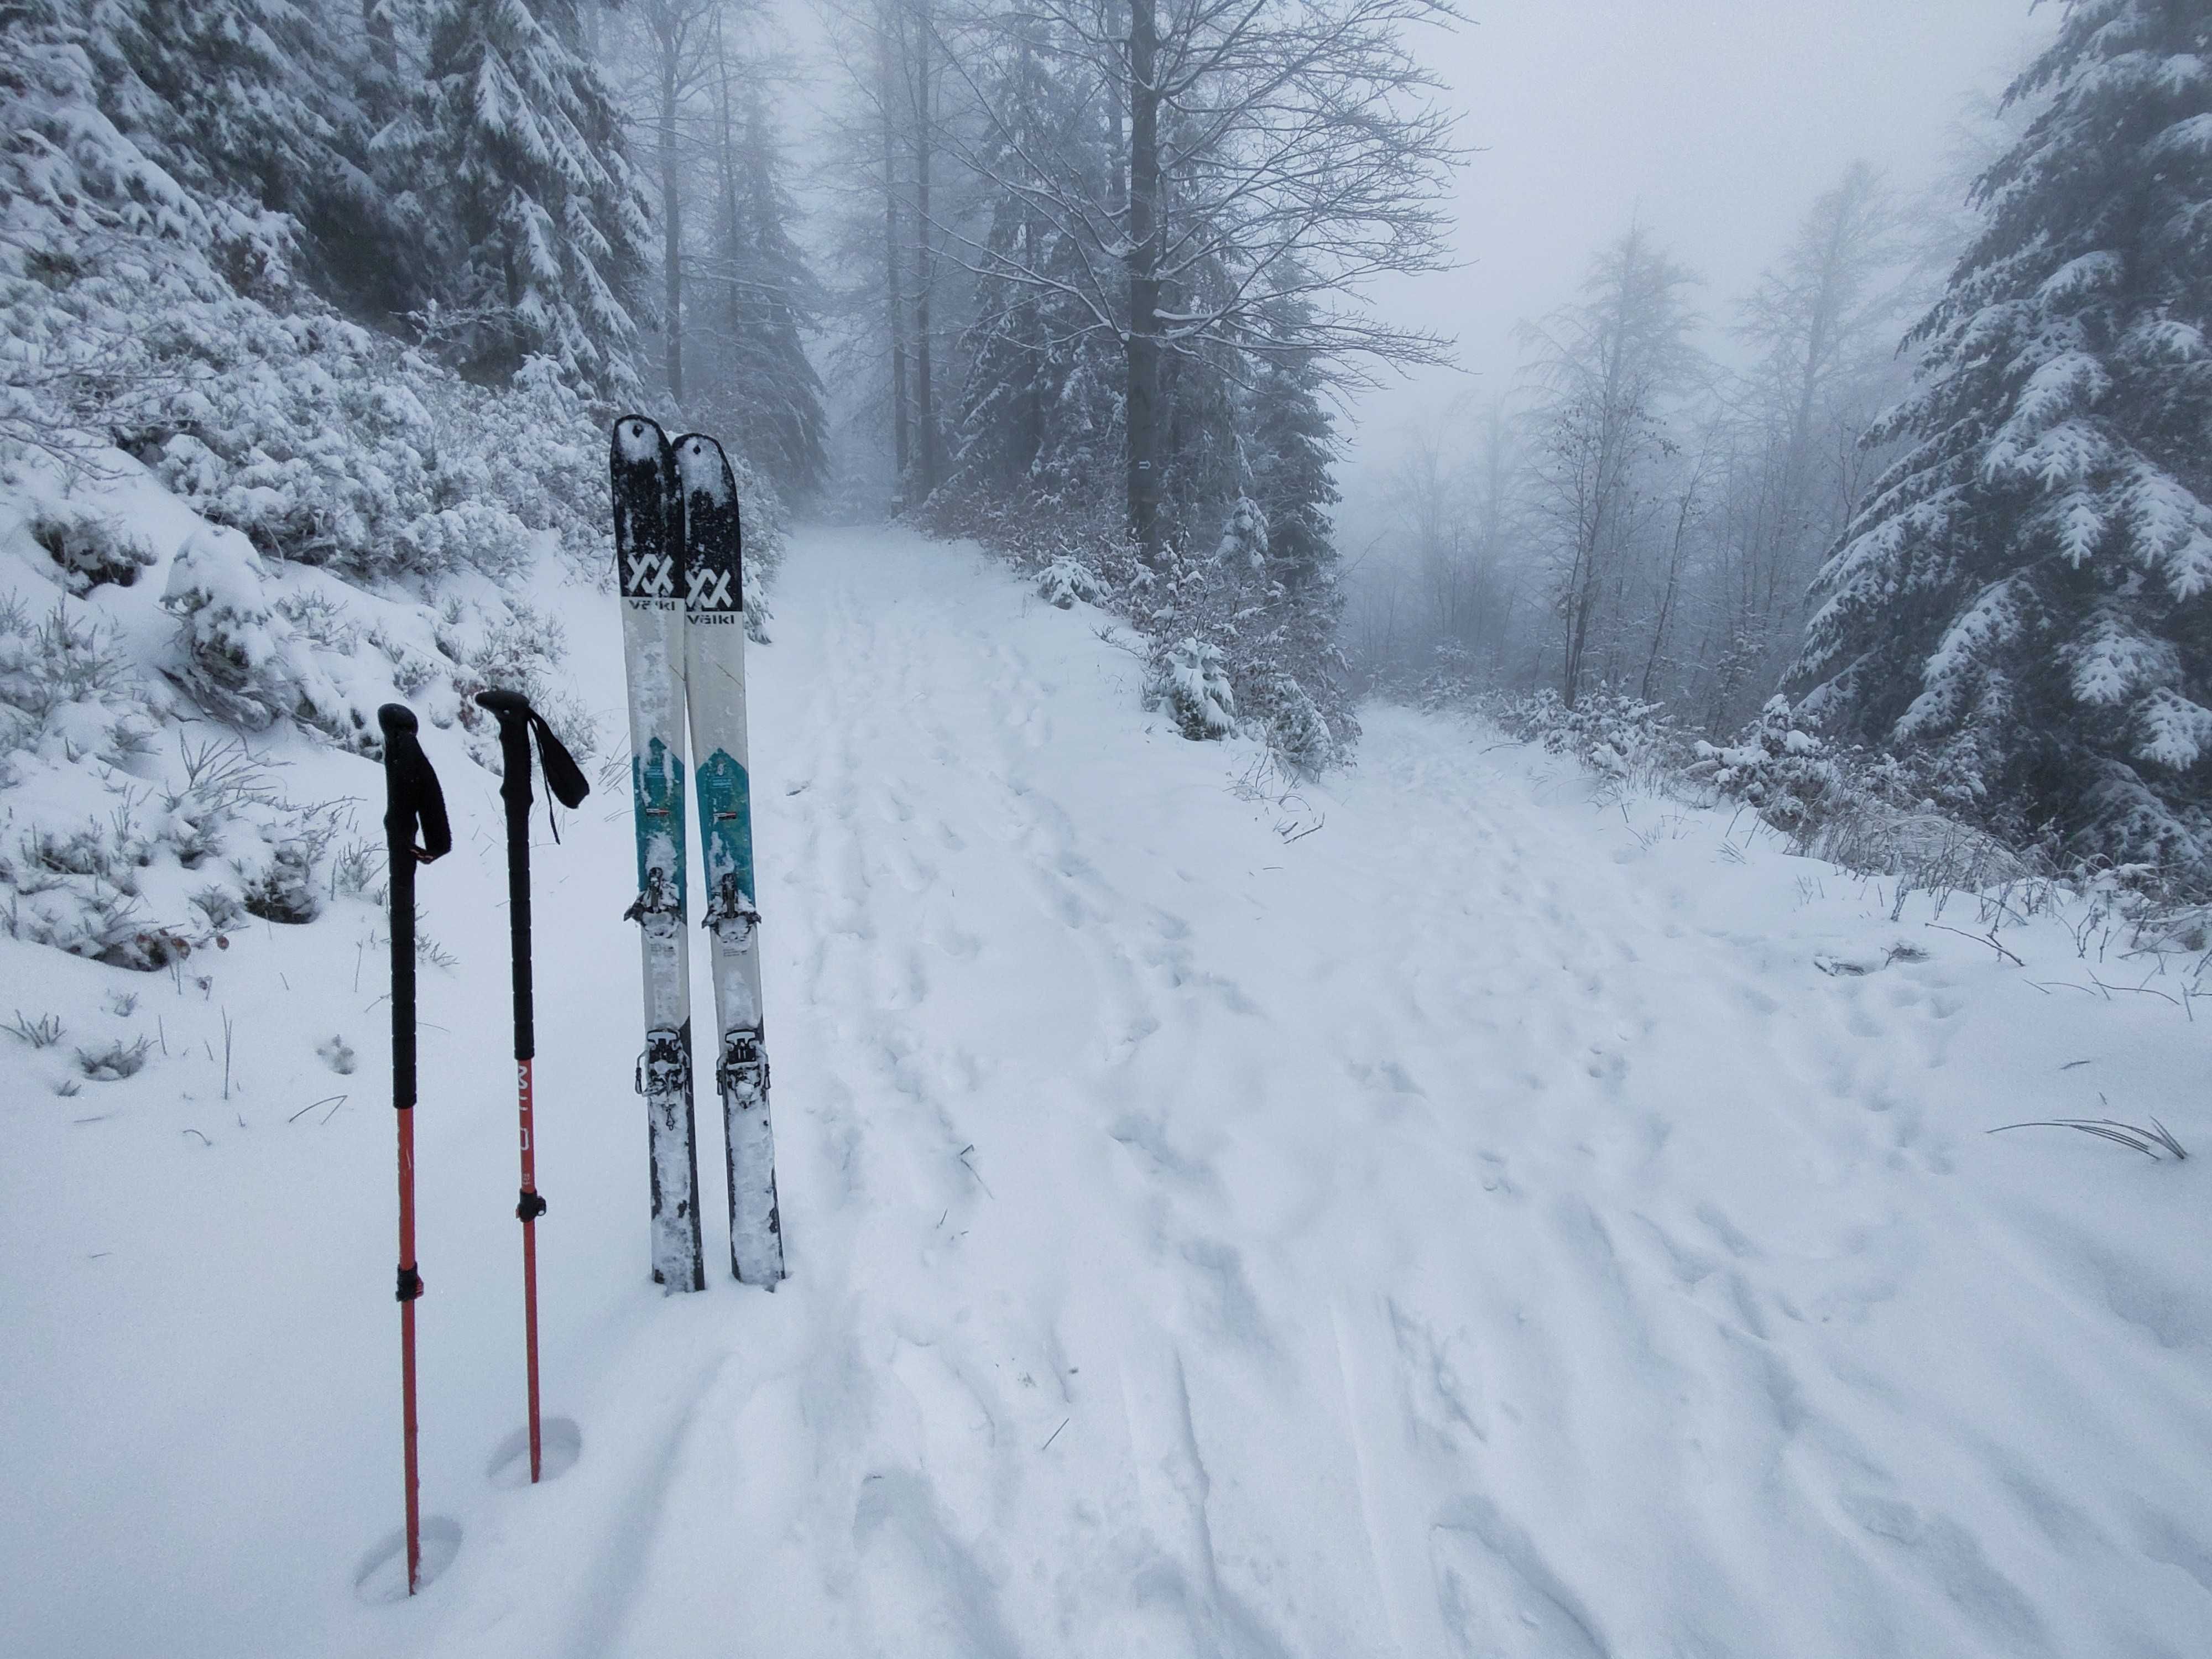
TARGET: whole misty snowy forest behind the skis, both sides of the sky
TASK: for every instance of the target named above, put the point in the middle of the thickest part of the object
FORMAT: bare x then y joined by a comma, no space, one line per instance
1094,282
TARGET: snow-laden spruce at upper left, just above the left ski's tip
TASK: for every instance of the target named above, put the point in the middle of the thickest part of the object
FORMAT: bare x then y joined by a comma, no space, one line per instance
541,227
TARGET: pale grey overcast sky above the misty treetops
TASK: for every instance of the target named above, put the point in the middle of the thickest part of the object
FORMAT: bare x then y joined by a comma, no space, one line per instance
1715,121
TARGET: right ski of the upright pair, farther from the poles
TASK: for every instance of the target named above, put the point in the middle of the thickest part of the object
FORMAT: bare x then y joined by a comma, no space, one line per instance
716,687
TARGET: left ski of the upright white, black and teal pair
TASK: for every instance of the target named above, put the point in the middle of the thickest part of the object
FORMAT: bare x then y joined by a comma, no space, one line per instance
649,572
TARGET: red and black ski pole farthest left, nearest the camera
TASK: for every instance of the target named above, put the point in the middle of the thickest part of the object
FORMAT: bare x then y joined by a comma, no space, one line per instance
413,797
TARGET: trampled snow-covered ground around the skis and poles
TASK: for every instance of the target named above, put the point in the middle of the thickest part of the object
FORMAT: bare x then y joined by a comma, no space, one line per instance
1437,1213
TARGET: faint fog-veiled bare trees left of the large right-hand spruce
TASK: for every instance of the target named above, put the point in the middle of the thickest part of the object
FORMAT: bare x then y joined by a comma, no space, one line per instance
1636,514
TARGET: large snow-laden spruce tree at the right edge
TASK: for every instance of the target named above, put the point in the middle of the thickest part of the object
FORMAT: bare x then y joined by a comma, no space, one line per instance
2027,594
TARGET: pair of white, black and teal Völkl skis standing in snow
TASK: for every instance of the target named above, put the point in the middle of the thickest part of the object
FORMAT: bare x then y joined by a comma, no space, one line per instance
678,565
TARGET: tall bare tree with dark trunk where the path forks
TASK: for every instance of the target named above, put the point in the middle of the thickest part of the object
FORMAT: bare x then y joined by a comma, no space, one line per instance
1273,152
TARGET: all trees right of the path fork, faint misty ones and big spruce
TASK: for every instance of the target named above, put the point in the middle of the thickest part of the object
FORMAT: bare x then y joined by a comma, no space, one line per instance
1939,481
